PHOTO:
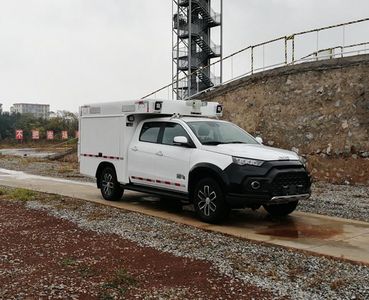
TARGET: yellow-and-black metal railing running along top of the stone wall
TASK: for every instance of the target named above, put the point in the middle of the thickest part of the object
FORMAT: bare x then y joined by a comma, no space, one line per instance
328,42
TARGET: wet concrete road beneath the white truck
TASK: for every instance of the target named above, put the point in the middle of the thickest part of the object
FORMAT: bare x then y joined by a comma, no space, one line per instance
331,236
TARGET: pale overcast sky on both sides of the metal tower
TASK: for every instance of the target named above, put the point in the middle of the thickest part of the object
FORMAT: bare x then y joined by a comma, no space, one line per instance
70,52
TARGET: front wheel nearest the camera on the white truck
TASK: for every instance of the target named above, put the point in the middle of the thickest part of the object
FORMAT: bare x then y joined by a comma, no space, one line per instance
209,201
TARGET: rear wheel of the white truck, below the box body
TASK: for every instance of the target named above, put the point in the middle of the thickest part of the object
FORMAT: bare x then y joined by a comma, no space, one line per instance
109,185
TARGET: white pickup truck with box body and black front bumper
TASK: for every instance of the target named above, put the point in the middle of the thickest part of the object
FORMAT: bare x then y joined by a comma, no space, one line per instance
180,149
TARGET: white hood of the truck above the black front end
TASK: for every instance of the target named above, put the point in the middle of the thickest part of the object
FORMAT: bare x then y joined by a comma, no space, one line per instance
254,151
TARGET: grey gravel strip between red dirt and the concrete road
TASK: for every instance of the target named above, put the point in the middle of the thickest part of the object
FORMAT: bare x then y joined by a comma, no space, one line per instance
282,272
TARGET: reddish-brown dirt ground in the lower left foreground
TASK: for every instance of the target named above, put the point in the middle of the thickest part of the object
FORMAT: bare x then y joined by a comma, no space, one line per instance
45,257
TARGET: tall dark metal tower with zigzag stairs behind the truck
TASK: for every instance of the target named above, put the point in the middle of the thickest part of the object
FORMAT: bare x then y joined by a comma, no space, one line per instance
194,23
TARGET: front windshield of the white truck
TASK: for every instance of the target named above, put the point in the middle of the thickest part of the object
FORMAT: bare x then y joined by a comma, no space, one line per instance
215,133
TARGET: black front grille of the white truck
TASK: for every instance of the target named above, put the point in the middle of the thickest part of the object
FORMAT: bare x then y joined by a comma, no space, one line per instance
290,184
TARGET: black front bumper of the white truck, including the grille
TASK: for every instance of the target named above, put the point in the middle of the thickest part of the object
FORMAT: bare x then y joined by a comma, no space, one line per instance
280,182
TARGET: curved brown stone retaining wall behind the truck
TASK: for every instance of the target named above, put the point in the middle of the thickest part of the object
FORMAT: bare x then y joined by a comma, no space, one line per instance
318,107
